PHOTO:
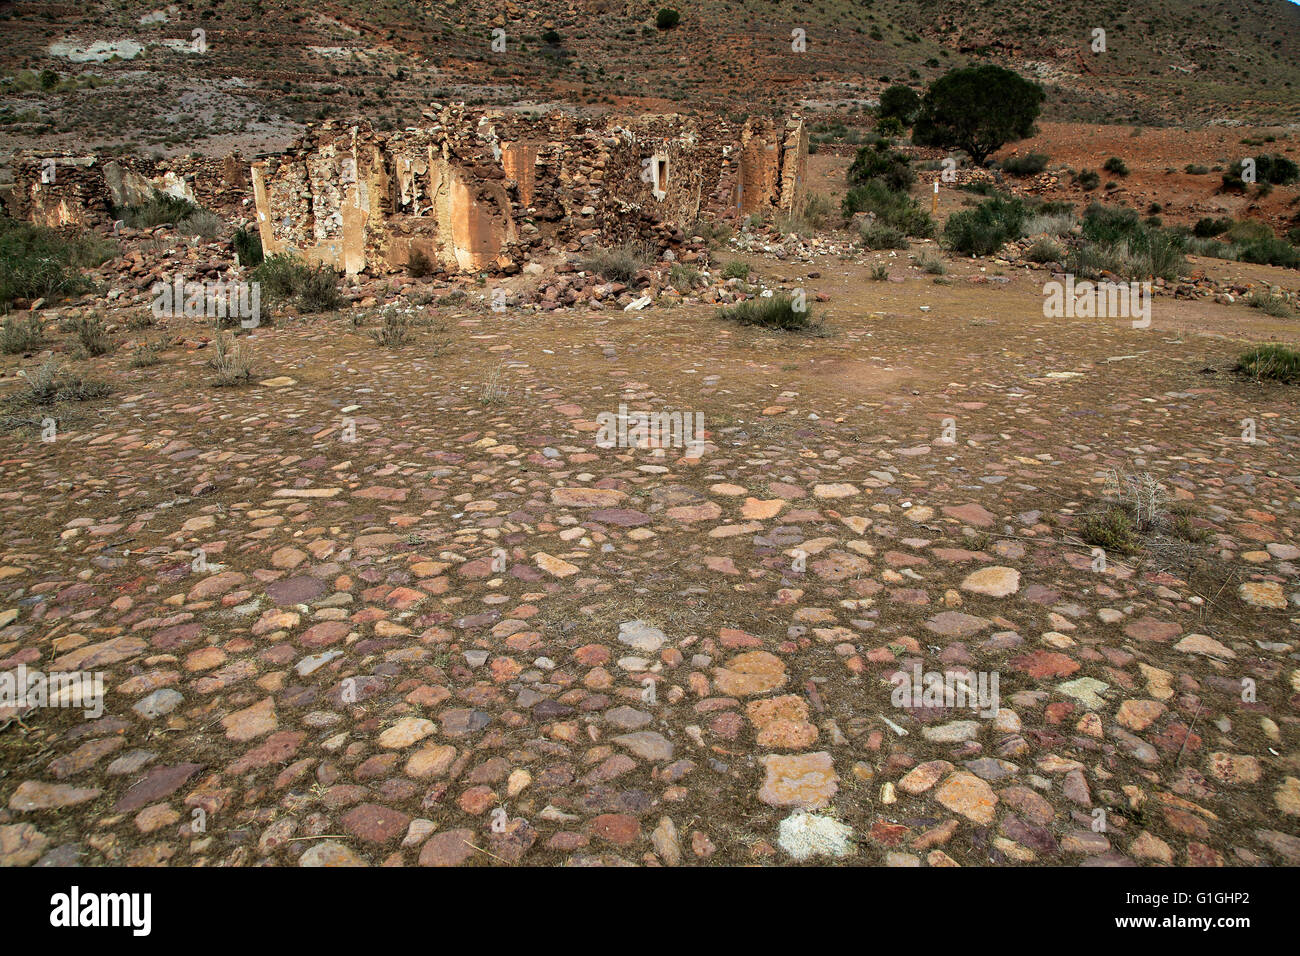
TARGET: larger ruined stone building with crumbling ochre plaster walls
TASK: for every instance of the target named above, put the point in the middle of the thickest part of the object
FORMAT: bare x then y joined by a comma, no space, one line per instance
488,192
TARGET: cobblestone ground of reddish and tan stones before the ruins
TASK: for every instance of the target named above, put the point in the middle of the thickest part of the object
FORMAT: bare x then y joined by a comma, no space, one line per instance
397,608
